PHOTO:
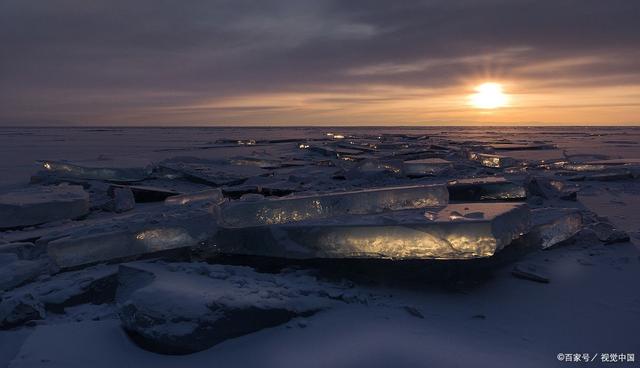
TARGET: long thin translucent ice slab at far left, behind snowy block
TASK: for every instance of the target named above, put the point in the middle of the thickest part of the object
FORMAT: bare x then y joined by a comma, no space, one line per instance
67,170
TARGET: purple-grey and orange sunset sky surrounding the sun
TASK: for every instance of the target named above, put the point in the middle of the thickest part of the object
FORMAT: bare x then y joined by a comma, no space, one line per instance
324,62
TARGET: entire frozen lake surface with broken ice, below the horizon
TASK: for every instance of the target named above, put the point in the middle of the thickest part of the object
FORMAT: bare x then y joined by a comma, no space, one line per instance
294,247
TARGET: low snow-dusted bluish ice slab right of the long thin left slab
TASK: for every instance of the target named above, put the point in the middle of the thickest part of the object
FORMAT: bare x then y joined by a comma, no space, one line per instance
211,172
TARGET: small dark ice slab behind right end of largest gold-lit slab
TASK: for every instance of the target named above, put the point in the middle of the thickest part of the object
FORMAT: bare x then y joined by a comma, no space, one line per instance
485,189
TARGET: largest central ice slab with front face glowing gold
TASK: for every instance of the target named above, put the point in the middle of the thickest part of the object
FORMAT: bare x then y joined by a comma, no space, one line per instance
458,231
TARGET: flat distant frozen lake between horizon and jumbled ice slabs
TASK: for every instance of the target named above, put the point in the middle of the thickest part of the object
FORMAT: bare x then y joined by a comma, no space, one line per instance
20,148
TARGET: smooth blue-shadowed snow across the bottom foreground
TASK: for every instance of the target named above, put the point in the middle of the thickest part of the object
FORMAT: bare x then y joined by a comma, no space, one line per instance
592,305
